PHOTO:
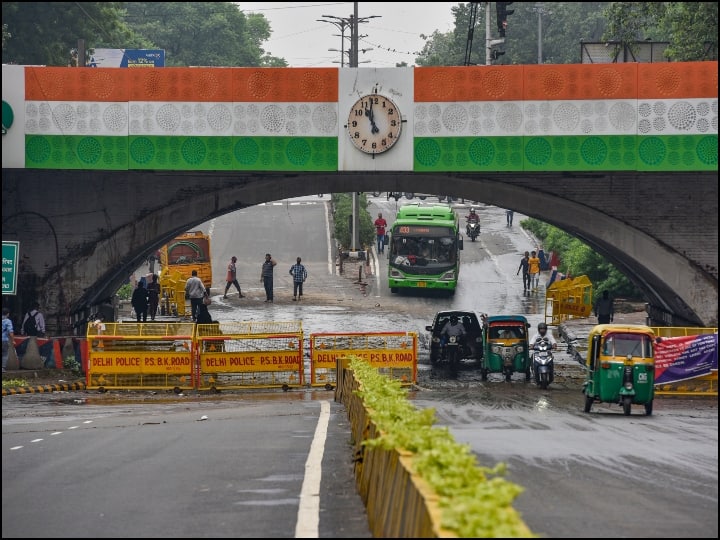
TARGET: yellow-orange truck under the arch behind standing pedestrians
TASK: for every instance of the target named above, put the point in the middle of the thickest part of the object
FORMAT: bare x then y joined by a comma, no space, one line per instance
178,258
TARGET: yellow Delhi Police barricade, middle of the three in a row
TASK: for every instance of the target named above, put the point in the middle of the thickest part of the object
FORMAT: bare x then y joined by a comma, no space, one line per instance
235,355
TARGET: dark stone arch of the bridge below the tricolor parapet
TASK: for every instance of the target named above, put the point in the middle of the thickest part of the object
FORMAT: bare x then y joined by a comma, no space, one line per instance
657,231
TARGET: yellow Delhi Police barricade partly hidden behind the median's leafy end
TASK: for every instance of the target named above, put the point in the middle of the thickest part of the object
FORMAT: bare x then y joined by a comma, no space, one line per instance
393,353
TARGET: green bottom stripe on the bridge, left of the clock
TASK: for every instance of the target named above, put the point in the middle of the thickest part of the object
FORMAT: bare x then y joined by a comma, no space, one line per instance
183,153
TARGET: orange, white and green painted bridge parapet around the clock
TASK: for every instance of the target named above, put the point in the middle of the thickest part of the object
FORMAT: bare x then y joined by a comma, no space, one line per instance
585,117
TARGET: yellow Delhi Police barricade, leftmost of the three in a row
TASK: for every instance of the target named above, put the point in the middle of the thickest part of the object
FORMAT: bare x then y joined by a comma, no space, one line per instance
141,356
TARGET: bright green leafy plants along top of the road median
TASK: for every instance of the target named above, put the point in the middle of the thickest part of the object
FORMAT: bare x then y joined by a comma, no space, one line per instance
475,500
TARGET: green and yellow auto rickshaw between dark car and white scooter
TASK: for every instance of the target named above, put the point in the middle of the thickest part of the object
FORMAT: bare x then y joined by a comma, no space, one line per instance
505,340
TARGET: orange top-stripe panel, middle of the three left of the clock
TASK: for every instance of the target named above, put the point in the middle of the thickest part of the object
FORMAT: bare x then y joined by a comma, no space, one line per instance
181,84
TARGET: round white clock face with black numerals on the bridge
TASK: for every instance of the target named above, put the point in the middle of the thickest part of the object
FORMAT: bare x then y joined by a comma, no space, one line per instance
374,124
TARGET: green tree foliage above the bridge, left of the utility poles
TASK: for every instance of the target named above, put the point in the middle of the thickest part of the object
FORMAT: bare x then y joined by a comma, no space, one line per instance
191,33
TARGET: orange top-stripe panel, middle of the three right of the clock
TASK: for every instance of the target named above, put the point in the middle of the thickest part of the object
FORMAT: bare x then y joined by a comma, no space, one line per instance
580,81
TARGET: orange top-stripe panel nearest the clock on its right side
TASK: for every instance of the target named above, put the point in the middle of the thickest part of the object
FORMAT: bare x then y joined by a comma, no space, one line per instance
469,83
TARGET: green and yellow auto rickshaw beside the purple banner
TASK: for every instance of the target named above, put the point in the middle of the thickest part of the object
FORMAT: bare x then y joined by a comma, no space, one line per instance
620,366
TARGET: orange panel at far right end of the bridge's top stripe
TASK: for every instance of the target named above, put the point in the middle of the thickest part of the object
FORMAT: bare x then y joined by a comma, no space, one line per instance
664,80
